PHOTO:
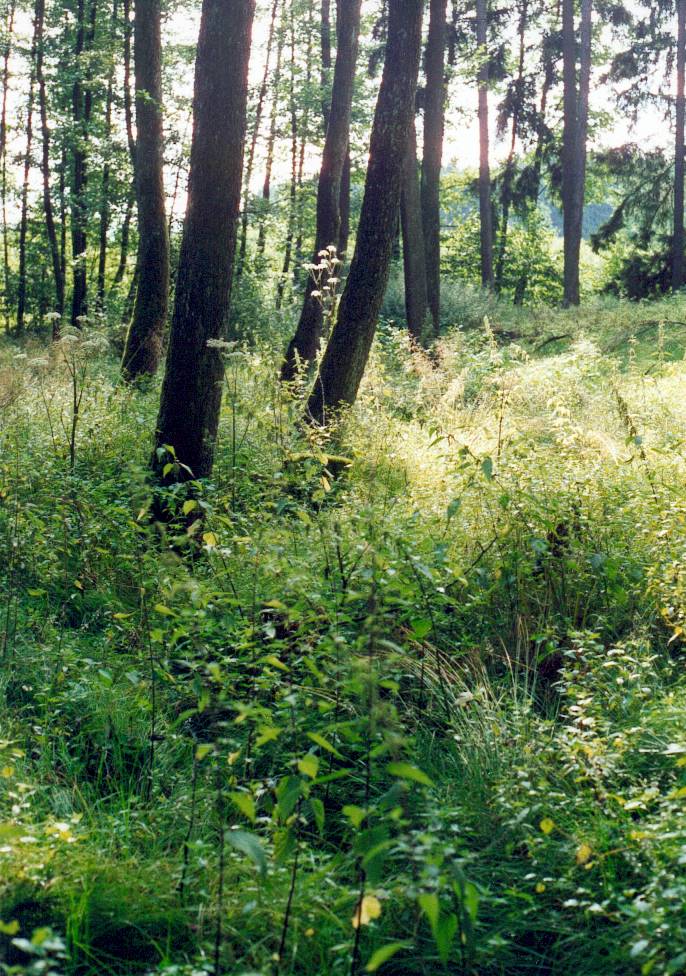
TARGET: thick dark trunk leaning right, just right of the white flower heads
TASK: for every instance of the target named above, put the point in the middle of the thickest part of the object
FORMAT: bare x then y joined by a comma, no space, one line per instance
347,353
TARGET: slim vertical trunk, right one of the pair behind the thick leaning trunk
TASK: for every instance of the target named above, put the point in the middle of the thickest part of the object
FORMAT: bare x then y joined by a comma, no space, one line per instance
434,124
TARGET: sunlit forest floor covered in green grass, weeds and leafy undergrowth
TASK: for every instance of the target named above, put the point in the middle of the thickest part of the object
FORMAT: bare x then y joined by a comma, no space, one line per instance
421,712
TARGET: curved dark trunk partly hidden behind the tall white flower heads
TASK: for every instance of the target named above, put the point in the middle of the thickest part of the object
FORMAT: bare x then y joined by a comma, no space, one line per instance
305,343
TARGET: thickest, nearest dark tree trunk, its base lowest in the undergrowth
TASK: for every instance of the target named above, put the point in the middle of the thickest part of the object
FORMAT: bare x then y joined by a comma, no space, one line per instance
192,388
